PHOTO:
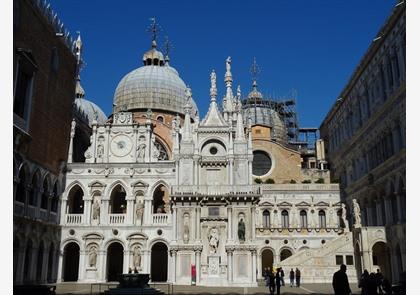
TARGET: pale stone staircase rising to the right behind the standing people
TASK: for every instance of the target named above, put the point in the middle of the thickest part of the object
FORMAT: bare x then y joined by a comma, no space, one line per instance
318,265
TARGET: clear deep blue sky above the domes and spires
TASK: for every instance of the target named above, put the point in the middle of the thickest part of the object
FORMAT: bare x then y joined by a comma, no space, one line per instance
310,46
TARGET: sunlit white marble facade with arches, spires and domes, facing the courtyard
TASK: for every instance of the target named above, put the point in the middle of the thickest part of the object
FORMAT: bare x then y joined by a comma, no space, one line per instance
167,193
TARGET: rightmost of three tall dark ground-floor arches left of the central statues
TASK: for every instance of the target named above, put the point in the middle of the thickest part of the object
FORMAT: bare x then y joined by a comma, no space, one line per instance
159,263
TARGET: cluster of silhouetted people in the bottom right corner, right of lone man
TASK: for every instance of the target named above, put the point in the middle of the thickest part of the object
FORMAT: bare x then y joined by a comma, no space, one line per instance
374,283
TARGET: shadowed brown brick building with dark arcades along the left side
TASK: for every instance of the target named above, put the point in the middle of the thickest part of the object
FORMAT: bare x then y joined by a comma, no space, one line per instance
43,92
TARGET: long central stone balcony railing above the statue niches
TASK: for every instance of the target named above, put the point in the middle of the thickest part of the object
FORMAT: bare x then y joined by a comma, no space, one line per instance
215,190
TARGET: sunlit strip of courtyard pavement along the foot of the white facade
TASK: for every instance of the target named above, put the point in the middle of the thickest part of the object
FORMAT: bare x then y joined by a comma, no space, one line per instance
73,288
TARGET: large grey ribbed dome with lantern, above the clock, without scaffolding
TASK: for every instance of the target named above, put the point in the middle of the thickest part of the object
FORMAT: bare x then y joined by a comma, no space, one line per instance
156,85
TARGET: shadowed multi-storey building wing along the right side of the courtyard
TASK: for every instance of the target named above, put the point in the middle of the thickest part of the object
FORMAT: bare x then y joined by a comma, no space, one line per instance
365,138
